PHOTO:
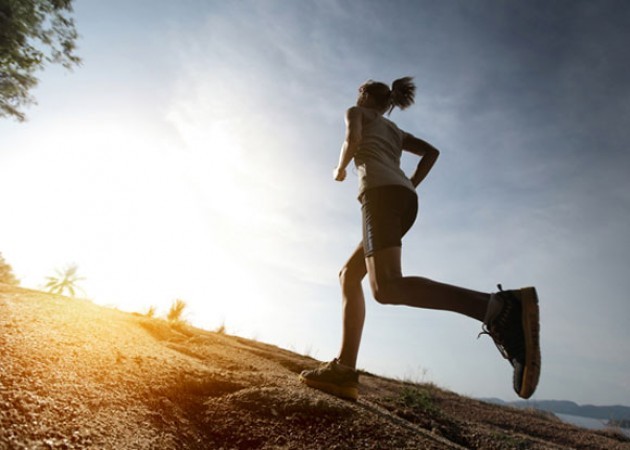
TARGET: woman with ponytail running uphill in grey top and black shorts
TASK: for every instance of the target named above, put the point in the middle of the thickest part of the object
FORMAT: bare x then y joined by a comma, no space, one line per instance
389,205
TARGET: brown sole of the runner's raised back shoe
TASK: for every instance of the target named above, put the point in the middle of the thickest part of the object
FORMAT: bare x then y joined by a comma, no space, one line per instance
531,328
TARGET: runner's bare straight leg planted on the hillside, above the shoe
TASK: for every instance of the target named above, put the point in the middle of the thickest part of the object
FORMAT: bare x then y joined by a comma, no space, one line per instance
353,312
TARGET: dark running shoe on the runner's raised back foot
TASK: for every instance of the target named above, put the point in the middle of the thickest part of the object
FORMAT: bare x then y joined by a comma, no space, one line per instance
513,323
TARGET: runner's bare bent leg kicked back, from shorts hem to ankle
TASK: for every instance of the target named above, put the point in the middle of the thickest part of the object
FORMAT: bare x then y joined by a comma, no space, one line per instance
389,286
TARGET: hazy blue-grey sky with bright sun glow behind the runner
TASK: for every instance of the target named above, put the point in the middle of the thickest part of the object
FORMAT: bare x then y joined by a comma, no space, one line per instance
190,157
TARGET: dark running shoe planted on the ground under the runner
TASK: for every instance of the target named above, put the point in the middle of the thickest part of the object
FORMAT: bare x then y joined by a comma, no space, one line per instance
333,378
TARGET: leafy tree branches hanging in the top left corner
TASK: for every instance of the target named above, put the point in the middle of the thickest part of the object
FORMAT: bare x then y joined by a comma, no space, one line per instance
32,33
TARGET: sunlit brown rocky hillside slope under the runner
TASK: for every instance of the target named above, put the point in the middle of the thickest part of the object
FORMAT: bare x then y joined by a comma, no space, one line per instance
74,375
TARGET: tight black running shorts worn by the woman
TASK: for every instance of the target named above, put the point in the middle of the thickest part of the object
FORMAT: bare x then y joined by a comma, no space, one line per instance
388,213
